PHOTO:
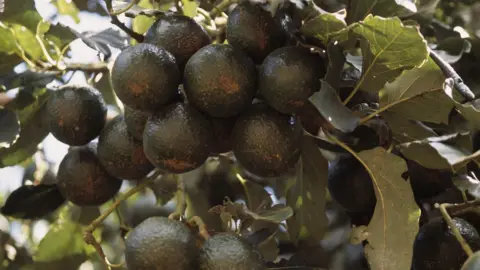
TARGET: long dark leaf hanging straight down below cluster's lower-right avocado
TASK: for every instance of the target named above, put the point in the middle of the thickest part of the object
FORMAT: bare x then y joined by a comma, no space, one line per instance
306,195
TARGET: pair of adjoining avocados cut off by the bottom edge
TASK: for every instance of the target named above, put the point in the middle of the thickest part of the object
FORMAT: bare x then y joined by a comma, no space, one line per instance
162,243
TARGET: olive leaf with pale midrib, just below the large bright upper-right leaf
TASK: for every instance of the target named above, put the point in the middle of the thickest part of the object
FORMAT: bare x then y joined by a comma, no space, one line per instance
418,94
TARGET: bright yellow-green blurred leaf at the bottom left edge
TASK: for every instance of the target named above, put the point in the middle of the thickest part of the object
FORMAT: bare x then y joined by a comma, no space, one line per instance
62,247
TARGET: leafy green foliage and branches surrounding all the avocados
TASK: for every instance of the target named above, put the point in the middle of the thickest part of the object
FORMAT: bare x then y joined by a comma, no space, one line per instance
394,68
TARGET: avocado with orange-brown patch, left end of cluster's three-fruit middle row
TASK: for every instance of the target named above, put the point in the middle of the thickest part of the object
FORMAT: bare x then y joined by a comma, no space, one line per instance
145,77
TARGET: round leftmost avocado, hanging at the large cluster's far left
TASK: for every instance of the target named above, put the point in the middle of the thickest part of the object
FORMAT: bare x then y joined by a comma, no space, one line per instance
76,114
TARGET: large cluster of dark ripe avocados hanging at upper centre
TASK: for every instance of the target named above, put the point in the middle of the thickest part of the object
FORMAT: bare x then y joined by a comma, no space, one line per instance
186,99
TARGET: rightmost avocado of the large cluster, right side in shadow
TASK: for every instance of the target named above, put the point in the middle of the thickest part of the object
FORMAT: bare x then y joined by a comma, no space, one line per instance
289,76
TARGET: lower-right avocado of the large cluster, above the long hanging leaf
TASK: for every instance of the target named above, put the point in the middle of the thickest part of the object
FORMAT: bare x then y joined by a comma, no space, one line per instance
266,142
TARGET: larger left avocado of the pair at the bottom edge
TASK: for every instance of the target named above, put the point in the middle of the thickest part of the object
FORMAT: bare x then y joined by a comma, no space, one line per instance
161,244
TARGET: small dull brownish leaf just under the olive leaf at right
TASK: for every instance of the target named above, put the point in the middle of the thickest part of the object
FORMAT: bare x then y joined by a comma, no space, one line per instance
406,130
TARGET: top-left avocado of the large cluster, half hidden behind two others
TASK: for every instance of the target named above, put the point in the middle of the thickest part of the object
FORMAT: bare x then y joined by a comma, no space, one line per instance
179,34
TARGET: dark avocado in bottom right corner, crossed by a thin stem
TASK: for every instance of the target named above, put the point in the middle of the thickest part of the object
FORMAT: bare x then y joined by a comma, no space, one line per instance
436,248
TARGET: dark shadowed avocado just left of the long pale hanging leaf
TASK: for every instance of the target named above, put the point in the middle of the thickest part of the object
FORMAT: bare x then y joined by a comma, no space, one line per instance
350,185
